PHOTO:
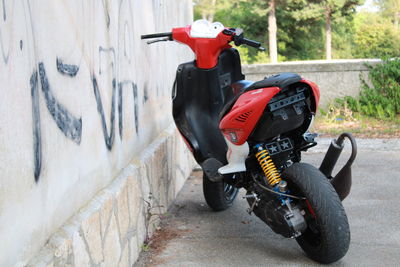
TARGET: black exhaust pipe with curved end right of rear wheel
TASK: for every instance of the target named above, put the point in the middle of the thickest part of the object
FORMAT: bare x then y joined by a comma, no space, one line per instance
342,180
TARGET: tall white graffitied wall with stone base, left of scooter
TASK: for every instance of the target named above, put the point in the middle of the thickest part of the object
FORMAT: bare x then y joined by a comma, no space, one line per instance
85,104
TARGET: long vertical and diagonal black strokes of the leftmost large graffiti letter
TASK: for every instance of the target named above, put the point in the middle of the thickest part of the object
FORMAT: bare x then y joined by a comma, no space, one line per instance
70,126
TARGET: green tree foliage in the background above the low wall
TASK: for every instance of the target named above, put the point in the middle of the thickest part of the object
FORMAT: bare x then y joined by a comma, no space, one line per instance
302,27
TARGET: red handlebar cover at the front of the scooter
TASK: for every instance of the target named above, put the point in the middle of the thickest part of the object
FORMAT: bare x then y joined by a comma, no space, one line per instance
207,50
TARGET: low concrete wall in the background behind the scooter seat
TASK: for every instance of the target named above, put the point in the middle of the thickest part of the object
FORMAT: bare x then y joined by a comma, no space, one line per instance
335,78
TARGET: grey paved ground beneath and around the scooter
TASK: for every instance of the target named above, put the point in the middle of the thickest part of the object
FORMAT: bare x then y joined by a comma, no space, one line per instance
193,235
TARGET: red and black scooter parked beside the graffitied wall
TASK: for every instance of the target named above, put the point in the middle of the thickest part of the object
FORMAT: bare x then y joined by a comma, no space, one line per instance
251,134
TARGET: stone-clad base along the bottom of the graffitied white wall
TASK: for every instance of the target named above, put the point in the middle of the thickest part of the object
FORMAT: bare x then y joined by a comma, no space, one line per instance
111,229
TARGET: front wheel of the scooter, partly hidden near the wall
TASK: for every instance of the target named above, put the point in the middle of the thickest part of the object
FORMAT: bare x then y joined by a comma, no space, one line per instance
219,195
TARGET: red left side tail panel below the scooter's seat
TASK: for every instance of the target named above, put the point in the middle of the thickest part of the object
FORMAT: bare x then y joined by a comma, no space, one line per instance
238,124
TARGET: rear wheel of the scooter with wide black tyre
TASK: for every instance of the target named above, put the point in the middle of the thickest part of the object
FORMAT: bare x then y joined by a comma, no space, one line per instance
327,236
